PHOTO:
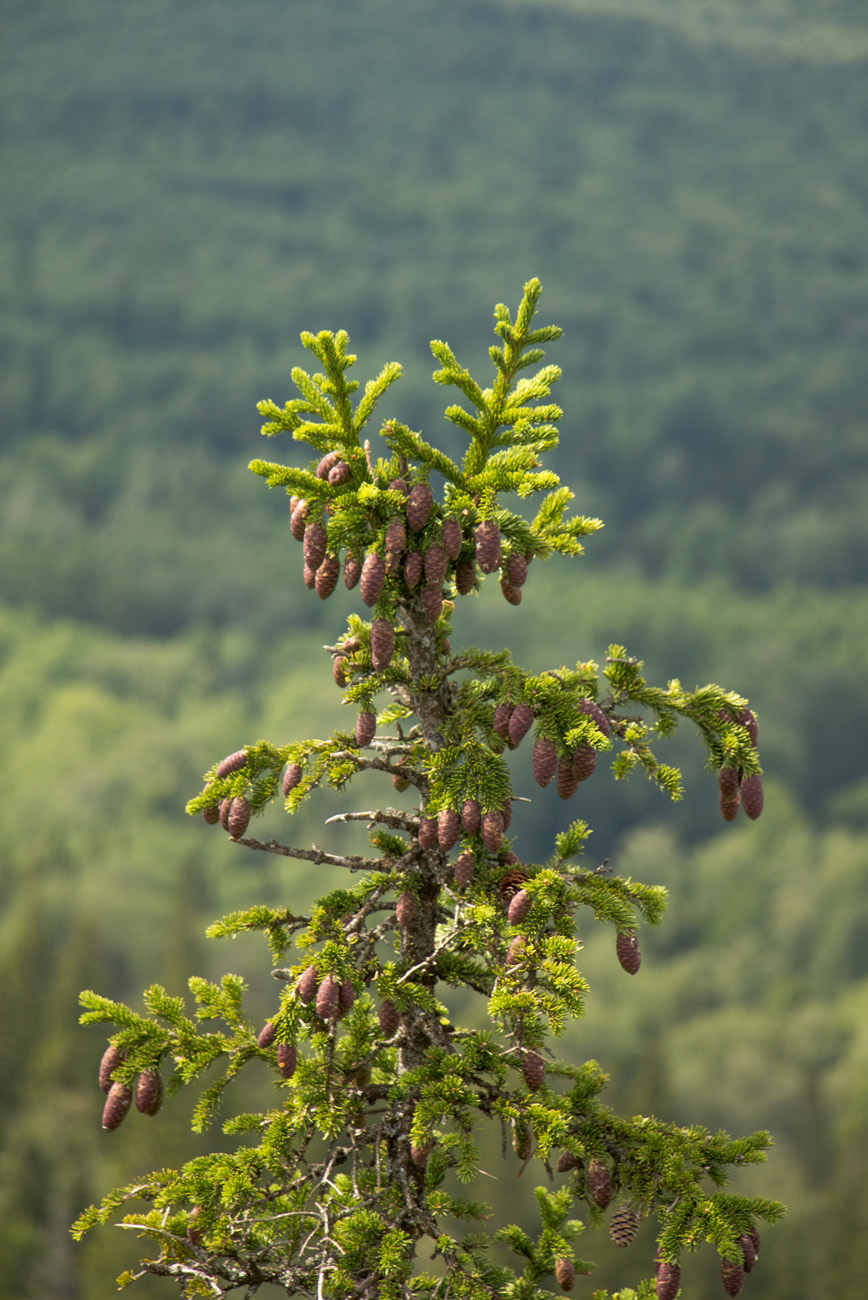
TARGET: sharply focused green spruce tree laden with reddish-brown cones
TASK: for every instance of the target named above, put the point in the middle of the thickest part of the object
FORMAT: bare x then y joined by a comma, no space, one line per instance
367,1165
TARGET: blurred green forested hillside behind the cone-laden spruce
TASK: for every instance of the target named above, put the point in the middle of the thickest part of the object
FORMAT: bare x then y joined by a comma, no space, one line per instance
186,187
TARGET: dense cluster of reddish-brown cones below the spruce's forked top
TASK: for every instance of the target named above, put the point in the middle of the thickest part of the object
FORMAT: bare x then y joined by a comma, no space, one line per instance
422,564
